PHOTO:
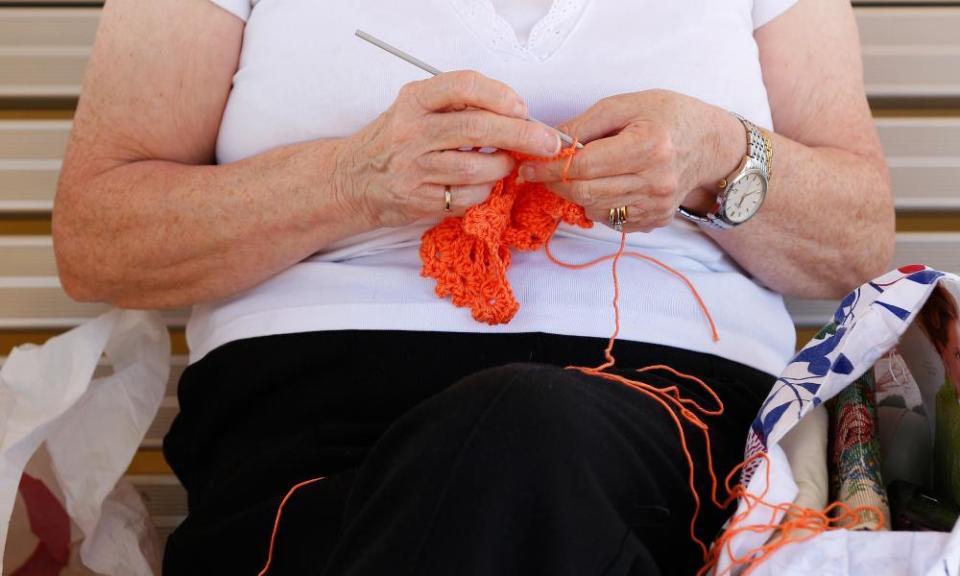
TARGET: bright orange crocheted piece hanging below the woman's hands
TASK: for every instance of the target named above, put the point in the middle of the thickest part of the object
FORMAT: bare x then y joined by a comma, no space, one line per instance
469,255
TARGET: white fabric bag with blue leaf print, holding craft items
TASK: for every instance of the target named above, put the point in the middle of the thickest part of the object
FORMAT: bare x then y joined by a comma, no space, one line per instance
888,369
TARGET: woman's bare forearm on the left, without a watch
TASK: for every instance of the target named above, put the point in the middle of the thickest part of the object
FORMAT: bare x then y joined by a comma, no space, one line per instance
156,234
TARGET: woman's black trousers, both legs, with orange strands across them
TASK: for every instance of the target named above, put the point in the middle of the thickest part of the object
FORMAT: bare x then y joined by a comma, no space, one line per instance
444,454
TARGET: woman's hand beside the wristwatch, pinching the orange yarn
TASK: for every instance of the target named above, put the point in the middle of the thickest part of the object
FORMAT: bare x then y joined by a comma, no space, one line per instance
650,151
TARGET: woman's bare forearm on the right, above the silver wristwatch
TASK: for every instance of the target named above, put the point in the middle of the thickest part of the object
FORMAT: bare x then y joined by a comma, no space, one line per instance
827,223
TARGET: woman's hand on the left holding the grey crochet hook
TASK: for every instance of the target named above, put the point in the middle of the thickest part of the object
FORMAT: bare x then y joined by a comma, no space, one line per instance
395,169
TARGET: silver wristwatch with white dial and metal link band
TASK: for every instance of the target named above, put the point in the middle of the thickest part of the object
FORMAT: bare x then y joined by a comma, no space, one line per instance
741,193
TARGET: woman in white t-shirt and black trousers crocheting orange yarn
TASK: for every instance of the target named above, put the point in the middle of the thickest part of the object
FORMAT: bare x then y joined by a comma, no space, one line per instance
254,160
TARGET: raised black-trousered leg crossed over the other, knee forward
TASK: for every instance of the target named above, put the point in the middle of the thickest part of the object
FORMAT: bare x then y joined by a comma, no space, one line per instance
522,432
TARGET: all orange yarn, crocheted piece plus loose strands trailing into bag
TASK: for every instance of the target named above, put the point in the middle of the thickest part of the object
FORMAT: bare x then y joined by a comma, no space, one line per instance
469,256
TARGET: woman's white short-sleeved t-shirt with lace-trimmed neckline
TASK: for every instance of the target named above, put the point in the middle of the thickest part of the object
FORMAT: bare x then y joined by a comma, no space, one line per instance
303,75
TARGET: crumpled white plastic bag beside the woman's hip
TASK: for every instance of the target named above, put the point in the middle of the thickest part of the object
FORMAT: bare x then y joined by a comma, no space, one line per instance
90,427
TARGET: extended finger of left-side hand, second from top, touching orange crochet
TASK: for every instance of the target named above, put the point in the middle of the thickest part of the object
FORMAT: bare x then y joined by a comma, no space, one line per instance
479,128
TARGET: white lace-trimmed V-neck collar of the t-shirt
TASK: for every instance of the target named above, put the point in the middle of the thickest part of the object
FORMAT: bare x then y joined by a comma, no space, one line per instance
547,35
